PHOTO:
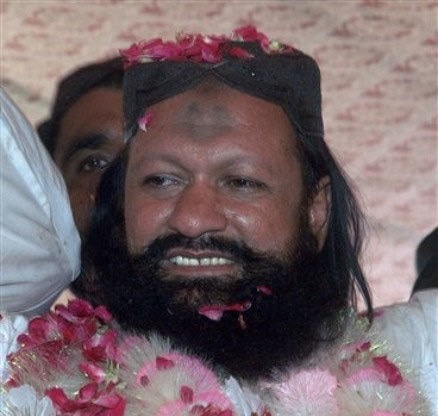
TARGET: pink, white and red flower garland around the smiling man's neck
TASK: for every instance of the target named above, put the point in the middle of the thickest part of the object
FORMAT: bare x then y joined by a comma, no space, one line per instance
73,362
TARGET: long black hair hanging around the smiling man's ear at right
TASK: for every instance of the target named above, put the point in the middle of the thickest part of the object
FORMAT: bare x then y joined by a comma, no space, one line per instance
341,252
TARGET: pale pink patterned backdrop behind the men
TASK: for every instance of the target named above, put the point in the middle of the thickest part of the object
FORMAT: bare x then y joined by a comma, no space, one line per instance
379,72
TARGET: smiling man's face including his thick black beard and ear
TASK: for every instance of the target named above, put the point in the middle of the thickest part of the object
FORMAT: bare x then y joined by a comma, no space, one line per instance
221,241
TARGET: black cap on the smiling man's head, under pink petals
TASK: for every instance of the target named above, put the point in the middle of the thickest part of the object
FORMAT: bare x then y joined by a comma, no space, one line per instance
290,79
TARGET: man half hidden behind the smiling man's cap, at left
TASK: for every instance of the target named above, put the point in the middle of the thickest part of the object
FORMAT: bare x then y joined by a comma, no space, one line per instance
84,131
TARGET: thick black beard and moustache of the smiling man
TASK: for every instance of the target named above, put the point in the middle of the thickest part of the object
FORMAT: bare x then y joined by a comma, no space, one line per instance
277,331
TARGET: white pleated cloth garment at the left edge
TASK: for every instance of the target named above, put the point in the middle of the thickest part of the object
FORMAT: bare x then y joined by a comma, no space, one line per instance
39,243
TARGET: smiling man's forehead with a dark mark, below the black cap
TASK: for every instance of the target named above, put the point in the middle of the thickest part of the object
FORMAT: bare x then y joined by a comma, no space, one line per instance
215,110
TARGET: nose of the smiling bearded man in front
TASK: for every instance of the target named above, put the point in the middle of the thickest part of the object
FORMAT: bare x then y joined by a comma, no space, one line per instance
198,211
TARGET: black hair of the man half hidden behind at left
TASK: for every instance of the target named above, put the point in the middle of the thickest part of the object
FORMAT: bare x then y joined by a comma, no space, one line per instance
107,73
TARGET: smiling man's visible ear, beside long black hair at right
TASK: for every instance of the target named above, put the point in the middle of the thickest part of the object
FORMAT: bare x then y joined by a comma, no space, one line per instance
319,209
